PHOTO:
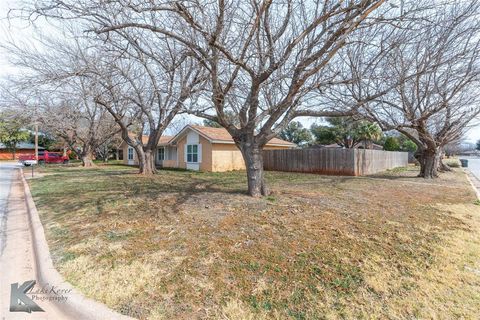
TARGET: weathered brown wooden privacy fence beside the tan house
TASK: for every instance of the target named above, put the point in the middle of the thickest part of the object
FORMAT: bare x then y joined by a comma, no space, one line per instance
334,161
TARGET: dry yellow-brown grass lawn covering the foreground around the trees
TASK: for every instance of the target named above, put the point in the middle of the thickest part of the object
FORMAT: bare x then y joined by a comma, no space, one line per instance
191,245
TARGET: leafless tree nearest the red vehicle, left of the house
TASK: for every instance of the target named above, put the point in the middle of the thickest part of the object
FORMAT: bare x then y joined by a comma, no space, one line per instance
62,103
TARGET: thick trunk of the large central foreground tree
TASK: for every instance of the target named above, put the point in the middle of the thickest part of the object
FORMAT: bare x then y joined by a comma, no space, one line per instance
253,158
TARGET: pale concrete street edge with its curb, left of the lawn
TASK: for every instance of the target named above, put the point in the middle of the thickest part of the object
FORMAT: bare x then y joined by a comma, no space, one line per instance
26,258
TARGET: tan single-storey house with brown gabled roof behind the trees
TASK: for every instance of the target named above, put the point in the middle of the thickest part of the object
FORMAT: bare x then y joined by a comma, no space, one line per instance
200,148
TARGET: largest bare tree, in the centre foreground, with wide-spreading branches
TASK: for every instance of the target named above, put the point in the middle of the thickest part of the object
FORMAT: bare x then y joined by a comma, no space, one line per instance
267,61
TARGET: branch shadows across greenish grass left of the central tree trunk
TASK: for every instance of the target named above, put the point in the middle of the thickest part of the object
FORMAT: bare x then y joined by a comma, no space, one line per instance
71,190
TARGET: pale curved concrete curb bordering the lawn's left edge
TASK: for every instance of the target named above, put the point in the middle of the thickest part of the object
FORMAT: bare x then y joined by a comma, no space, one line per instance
78,306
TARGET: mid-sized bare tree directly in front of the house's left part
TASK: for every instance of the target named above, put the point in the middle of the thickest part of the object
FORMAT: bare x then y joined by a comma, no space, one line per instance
156,87
